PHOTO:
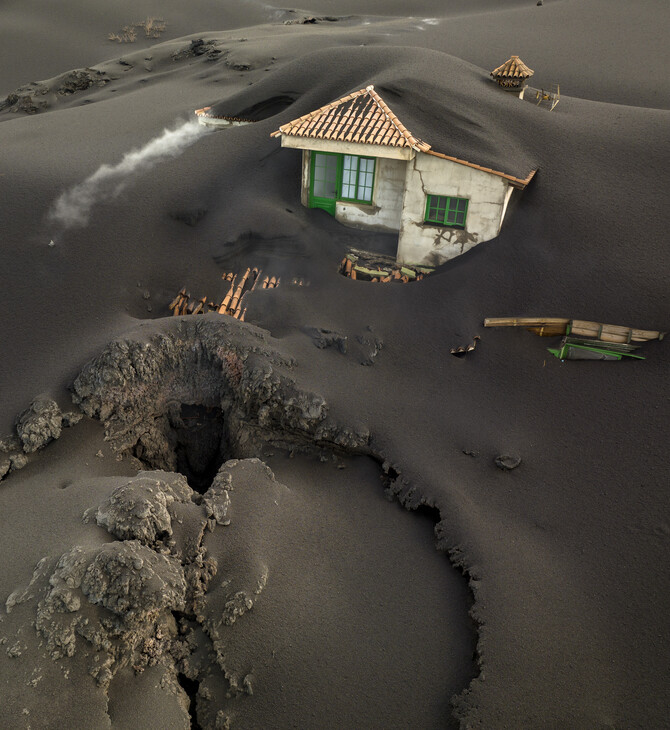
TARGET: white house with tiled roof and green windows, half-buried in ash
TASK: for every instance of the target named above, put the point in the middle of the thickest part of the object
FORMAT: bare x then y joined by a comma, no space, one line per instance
363,166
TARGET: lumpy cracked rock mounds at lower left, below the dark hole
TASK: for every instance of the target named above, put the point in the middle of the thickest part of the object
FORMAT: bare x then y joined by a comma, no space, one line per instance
143,599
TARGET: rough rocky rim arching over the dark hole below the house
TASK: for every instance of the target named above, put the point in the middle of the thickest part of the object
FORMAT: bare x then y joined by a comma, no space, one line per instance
137,388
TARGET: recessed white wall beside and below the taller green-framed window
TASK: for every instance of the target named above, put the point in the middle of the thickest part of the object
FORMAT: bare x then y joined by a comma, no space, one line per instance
387,196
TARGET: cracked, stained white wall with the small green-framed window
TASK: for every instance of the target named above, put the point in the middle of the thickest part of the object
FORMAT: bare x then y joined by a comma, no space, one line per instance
423,243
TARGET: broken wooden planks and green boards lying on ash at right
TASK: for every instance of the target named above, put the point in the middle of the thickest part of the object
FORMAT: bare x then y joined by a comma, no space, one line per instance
582,340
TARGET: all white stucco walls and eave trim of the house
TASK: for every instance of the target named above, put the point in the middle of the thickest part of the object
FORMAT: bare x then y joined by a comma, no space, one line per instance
403,180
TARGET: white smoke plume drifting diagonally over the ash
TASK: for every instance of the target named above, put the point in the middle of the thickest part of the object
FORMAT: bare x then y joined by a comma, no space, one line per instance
74,206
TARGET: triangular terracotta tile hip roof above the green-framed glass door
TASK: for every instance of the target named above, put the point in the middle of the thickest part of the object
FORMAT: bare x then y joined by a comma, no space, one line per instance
362,117
